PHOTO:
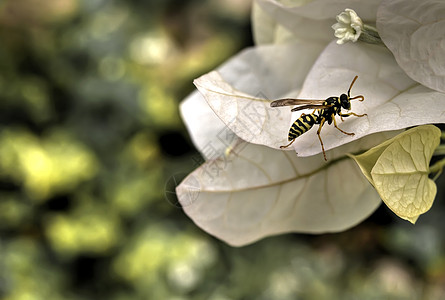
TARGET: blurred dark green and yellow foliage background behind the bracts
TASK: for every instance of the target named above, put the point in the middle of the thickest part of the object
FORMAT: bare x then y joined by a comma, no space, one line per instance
91,143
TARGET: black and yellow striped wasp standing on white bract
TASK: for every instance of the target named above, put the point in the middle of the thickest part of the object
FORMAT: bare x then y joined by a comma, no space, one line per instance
324,111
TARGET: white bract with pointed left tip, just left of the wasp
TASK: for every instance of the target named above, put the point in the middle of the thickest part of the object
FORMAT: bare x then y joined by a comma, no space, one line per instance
267,72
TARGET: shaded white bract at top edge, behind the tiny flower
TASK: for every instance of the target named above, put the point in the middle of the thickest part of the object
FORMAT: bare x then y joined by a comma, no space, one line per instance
312,21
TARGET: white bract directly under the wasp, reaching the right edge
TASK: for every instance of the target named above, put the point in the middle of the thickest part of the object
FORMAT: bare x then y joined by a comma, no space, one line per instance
392,100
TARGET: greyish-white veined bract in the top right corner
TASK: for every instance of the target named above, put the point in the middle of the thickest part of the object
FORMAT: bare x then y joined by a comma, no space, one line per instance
415,33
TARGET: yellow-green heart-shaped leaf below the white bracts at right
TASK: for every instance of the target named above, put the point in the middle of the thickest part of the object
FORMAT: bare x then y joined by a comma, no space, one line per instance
399,168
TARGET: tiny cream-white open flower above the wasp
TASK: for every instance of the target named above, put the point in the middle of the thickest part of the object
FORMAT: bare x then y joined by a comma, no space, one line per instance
349,26
